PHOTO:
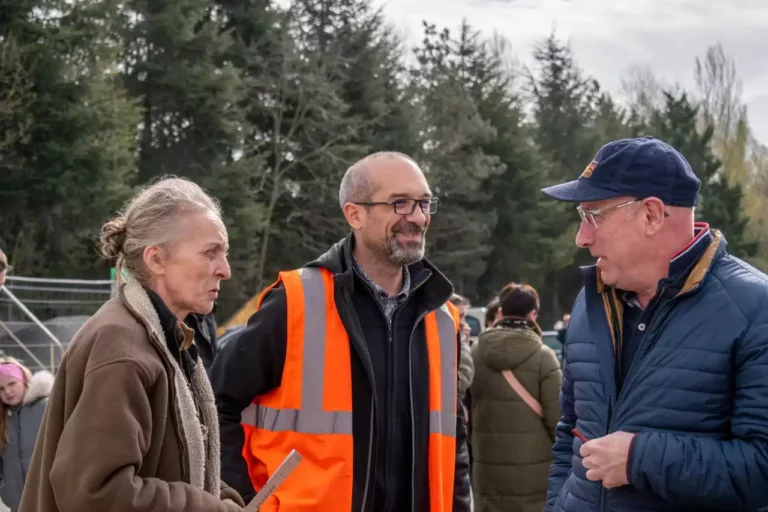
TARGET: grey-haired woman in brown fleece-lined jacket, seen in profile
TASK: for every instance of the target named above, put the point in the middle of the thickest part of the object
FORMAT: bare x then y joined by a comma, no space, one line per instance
131,423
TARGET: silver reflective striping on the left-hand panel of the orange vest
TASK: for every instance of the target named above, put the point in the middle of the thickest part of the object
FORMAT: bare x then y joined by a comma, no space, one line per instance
311,418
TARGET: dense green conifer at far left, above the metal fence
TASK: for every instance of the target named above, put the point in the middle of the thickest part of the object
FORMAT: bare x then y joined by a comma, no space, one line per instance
70,161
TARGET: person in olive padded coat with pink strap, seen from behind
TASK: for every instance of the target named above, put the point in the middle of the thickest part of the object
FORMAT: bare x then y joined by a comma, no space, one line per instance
512,445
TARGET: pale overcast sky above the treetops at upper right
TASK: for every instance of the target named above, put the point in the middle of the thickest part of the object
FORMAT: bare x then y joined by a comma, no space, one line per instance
610,36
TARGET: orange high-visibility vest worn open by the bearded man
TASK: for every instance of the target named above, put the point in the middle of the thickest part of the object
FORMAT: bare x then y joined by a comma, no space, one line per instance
311,411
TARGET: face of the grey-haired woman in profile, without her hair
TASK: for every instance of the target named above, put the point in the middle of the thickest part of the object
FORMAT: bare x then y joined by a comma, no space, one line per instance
188,274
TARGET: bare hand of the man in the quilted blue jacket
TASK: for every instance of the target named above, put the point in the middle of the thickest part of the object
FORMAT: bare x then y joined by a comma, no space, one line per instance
606,459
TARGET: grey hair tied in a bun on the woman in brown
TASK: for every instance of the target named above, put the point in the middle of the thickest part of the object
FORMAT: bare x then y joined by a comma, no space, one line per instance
153,217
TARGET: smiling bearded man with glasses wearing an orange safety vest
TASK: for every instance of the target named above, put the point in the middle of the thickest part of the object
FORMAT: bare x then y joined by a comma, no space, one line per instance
352,360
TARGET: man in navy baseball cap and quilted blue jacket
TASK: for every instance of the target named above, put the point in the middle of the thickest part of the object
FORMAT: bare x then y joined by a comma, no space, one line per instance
665,373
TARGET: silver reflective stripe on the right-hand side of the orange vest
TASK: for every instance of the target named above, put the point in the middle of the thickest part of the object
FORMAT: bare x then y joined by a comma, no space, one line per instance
444,421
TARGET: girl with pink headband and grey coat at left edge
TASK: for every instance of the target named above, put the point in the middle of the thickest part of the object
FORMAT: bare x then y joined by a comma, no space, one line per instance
23,398
